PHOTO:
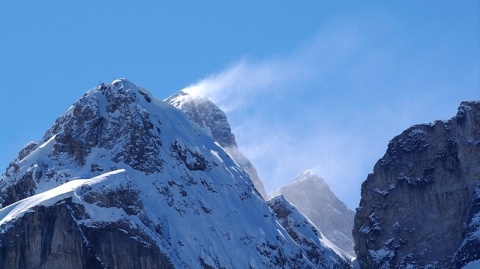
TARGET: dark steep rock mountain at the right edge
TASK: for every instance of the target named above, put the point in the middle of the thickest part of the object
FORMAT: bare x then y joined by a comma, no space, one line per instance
420,208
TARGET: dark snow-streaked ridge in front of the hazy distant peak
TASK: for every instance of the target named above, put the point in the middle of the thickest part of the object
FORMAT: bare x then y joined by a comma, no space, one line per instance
308,237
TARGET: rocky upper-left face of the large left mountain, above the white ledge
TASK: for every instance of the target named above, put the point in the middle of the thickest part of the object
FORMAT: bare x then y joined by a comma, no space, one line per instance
108,120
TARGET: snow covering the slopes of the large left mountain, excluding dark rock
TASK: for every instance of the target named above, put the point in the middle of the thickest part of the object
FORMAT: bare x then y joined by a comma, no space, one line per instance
214,213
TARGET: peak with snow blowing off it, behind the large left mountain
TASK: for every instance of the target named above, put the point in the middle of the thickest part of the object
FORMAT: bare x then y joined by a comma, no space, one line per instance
209,117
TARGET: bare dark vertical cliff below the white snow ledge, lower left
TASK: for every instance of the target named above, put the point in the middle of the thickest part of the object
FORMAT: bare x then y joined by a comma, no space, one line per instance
50,237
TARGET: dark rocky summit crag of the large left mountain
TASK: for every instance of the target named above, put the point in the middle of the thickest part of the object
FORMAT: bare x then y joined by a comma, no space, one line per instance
106,120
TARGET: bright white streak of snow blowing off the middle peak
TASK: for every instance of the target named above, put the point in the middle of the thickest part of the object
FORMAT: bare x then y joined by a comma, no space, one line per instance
236,86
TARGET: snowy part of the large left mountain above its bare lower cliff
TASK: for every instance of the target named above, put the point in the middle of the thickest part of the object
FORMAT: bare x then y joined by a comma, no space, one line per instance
181,189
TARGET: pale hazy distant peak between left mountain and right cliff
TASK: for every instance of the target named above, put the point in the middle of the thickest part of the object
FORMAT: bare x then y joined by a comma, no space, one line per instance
313,197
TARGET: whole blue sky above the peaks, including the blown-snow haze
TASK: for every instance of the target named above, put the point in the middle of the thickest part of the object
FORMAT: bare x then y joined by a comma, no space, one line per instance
320,85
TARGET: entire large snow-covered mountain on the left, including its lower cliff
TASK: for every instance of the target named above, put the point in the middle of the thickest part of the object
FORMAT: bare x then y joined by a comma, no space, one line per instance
123,180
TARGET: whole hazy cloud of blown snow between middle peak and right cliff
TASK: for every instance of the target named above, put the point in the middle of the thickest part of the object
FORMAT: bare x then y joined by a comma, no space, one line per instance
333,104
